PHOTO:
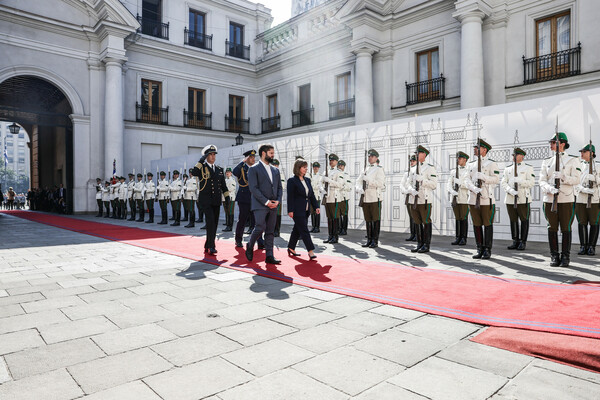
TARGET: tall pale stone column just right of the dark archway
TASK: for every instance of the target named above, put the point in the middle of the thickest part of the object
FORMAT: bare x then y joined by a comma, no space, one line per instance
113,116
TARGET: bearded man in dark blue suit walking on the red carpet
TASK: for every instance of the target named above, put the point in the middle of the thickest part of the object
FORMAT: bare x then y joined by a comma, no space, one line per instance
264,182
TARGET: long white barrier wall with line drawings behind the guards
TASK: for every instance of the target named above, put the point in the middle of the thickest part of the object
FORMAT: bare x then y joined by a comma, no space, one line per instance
443,135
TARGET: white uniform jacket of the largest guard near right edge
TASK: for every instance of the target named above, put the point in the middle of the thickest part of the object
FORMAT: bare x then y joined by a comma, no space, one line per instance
571,173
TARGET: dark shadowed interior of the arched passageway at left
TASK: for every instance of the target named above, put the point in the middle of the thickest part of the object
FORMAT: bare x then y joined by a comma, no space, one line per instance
43,110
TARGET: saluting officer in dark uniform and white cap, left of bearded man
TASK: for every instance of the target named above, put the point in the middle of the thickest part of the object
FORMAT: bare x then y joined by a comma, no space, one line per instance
211,186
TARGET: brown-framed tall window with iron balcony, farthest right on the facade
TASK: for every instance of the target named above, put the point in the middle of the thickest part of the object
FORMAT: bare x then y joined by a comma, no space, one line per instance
553,35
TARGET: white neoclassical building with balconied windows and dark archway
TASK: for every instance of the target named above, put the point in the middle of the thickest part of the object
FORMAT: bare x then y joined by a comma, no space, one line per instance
103,83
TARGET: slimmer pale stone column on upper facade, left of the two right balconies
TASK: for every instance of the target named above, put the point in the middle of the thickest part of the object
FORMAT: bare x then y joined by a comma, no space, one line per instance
364,86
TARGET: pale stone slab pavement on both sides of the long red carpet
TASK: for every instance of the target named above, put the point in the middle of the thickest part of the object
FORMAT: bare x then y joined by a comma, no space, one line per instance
83,317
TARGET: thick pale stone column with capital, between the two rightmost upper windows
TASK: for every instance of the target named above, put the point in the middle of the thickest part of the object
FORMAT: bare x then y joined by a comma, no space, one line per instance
471,13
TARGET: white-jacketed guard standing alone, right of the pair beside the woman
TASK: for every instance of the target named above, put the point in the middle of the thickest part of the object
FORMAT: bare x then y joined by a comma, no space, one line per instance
373,181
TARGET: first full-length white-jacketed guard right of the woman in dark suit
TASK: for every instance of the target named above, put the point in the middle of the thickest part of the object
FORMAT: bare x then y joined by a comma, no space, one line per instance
333,198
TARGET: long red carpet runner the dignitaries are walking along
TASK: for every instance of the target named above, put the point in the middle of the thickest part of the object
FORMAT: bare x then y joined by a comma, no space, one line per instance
566,309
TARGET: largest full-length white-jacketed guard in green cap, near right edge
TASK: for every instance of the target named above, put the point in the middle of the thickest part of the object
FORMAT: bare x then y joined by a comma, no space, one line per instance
560,185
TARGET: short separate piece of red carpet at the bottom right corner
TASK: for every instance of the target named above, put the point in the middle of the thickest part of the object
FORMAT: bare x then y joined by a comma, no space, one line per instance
574,351
